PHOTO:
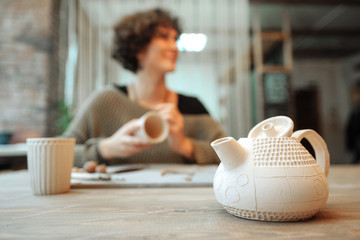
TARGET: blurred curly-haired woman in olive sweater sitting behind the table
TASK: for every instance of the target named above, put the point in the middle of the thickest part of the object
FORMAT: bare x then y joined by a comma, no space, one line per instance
144,43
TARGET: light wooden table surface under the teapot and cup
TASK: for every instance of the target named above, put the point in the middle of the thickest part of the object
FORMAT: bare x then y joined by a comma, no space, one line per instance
164,213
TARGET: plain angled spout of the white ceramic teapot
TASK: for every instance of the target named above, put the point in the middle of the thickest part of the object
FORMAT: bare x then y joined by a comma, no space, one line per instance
230,152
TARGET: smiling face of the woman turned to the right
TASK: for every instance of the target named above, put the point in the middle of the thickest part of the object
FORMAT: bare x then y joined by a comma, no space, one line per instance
161,53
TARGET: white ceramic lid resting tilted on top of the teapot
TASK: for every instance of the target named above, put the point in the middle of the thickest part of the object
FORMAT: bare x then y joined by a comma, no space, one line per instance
279,126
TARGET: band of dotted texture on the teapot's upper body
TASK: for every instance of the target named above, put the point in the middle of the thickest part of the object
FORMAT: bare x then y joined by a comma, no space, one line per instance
280,152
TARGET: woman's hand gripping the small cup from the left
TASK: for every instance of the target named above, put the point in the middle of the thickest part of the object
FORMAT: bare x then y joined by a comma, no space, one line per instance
123,143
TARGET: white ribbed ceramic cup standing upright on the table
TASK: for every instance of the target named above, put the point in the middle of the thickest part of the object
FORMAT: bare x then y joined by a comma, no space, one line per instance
50,161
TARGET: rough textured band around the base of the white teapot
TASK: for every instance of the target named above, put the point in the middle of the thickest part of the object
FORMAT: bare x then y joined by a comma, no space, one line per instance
270,216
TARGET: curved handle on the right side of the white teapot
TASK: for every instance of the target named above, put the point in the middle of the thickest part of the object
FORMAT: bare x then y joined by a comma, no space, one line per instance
319,146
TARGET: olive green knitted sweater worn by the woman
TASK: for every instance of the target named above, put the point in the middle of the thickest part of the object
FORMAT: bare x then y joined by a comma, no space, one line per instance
109,109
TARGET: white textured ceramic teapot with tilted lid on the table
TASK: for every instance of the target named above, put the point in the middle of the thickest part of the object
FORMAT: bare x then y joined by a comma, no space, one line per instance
270,176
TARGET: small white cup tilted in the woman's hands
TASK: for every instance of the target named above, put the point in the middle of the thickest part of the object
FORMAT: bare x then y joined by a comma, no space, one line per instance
153,127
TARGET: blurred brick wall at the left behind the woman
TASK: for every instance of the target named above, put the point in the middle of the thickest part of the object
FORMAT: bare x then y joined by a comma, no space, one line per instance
27,77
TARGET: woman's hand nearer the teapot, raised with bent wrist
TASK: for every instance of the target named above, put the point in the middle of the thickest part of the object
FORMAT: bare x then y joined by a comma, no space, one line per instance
177,140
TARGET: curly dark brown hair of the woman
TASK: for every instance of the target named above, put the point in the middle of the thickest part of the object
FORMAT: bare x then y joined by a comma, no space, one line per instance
134,32
